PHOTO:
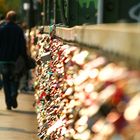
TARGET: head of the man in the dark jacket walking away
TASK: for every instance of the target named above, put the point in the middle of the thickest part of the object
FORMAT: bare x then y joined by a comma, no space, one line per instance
11,16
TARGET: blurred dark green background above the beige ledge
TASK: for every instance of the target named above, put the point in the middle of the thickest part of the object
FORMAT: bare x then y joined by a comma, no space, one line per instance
73,12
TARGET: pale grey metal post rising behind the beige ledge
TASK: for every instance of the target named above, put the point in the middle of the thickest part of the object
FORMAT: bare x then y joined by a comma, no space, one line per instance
100,11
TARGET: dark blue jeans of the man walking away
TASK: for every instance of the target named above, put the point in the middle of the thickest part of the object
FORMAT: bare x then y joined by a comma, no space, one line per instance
10,84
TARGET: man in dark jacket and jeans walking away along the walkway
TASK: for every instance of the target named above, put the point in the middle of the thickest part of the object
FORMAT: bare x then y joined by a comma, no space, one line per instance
12,45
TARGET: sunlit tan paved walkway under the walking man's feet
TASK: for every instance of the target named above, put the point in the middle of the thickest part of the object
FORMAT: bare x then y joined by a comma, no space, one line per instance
20,123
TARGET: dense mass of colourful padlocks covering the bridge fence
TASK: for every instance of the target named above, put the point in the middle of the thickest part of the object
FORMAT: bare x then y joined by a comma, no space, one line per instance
81,95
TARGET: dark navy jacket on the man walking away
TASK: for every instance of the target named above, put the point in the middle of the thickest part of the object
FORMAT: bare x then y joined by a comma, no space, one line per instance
12,42
